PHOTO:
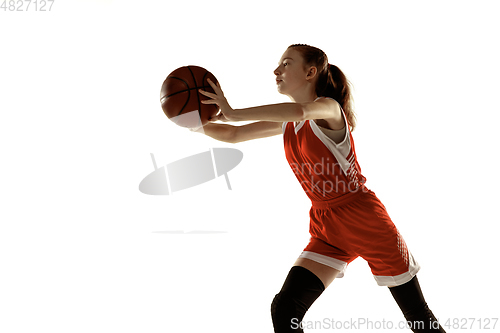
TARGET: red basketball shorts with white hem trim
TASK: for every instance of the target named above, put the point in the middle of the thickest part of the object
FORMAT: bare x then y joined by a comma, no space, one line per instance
358,225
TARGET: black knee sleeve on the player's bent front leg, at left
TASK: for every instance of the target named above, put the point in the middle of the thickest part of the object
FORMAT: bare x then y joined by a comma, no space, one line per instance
300,290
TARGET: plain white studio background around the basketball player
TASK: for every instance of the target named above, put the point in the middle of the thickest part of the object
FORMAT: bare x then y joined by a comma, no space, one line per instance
81,249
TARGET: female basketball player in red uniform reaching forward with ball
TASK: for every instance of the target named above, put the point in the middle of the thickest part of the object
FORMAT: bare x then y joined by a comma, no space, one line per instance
347,220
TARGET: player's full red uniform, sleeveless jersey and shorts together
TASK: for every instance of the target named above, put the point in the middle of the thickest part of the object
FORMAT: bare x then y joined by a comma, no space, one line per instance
347,220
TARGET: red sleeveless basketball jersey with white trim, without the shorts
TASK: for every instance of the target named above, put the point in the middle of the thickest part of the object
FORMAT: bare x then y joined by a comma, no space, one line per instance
325,169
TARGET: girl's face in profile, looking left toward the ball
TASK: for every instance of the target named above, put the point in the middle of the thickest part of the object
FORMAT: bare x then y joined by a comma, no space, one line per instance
291,75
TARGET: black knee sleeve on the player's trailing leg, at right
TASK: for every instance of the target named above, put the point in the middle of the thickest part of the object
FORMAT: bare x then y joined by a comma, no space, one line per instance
414,307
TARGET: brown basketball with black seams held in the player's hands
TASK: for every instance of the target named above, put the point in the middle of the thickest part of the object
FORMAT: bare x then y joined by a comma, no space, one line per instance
180,99
